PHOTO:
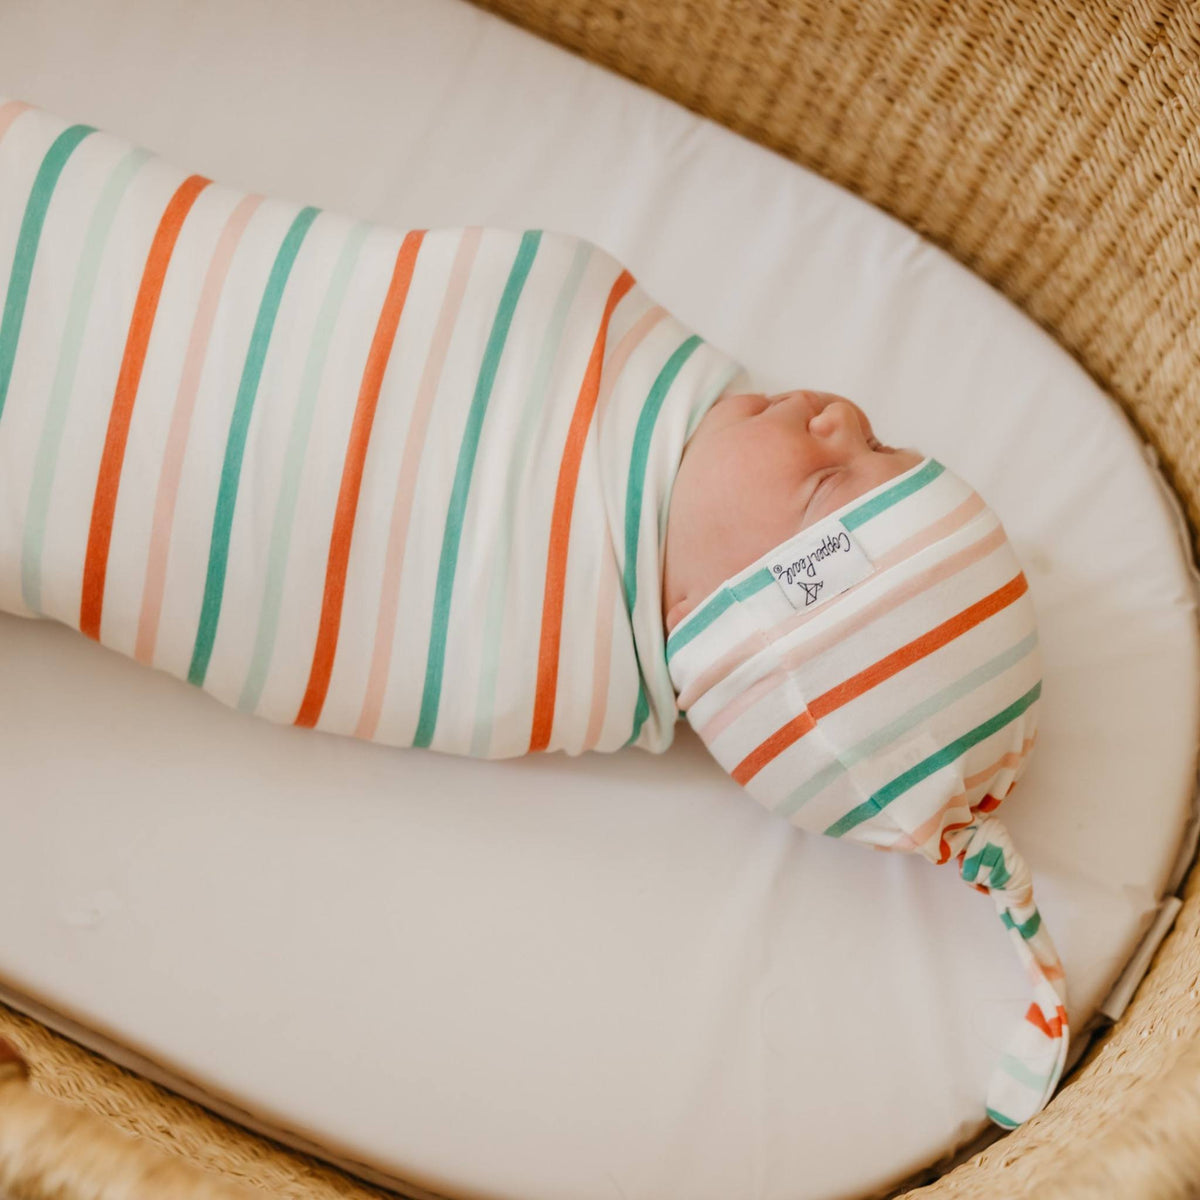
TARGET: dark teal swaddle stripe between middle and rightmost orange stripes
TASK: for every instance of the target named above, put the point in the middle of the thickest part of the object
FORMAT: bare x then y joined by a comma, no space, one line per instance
431,695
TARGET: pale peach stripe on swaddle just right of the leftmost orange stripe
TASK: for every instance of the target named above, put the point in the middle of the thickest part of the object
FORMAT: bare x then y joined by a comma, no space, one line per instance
182,424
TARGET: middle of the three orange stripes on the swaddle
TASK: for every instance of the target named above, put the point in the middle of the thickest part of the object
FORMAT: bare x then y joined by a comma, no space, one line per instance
352,481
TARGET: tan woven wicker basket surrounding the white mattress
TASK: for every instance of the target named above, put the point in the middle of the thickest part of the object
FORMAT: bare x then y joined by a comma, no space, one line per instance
1054,148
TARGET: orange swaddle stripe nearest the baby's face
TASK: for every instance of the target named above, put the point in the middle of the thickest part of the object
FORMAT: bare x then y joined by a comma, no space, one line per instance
561,529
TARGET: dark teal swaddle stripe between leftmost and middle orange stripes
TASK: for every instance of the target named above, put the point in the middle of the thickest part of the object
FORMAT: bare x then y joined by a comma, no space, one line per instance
236,446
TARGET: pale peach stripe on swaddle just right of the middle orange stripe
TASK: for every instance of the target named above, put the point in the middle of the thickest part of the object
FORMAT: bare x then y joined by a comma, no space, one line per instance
406,484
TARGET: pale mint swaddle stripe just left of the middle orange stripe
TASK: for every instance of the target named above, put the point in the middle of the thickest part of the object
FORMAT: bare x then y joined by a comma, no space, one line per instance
284,521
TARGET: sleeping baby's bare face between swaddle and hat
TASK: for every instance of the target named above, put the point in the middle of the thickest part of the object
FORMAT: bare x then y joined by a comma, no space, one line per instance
757,471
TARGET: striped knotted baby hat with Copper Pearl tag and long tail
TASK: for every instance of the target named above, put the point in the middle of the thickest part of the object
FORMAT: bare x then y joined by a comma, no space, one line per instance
877,679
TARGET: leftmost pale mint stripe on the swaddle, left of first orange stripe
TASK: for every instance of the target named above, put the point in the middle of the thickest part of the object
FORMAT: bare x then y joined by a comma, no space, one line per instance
55,423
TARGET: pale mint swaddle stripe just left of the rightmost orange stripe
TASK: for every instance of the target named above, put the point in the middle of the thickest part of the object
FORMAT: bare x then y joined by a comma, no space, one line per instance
497,595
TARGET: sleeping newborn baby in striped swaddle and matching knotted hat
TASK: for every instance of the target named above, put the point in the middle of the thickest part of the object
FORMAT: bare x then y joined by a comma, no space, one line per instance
473,490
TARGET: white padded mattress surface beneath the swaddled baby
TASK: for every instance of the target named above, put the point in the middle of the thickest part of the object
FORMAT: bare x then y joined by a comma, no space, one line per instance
557,977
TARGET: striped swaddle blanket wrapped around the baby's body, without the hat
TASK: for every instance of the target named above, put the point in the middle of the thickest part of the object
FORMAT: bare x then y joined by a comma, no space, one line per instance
404,485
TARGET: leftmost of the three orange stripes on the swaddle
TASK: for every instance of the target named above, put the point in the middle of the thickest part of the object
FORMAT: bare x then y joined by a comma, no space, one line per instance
109,482
